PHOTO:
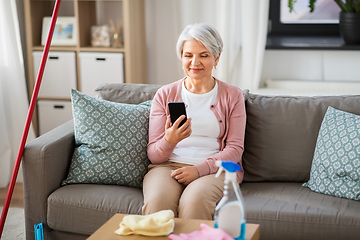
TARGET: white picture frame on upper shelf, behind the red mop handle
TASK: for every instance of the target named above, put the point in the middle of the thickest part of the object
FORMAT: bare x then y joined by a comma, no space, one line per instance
65,32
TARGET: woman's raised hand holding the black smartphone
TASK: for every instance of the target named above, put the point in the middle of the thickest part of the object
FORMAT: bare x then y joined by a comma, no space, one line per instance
174,133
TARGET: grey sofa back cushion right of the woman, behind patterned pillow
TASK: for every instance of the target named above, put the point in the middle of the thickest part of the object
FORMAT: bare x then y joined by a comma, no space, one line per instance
281,134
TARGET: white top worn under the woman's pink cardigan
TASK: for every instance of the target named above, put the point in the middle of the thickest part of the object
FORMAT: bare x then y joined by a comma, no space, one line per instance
202,142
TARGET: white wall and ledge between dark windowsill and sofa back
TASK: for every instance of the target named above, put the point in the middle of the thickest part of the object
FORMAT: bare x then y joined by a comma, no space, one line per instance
309,72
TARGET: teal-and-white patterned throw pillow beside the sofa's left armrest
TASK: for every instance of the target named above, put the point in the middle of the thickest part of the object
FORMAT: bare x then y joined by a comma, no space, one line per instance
111,141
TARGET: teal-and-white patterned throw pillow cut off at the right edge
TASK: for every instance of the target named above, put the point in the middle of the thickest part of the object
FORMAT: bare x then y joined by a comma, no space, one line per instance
336,164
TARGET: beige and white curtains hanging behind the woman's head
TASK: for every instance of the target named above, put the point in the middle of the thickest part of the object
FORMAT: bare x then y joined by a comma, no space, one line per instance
242,25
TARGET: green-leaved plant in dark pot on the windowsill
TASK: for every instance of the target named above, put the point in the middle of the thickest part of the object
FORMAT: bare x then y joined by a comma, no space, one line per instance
349,21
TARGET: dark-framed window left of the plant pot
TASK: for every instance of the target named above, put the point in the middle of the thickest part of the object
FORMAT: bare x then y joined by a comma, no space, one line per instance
301,22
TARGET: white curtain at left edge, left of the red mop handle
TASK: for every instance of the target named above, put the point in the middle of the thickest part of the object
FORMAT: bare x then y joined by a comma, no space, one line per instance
13,95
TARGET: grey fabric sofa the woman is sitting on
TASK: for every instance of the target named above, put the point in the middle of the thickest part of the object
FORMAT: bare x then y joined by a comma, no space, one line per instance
280,140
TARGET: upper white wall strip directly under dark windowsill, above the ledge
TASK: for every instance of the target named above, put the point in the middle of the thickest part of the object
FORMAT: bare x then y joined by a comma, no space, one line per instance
311,65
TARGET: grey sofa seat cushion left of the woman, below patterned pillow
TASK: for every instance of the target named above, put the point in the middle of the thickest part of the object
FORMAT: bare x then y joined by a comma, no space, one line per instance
83,208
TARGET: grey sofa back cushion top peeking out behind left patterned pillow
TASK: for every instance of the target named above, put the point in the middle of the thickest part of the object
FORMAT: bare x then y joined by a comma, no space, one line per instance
126,93
